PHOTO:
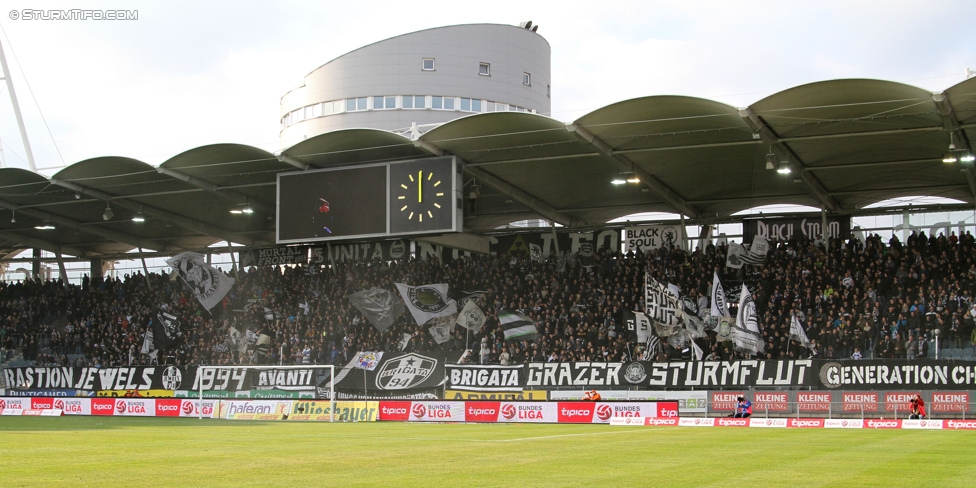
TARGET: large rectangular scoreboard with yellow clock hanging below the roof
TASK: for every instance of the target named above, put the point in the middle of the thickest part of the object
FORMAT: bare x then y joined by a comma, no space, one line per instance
416,197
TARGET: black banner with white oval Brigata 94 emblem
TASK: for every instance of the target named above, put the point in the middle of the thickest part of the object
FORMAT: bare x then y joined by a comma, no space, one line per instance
397,373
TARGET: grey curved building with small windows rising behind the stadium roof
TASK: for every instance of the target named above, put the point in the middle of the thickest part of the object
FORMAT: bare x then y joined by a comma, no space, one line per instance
410,83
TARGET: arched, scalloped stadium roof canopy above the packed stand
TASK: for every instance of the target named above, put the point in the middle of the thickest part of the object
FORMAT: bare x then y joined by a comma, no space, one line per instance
849,143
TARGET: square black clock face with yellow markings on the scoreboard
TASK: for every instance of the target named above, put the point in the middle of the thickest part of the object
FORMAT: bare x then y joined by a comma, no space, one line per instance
422,196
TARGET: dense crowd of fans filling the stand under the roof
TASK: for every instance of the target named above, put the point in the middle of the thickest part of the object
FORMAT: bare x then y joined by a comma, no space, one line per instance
859,299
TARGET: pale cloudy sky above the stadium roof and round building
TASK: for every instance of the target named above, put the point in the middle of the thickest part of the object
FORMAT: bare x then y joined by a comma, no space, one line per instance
187,74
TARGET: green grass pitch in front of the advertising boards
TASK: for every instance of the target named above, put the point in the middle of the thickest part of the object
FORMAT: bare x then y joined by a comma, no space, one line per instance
116,452
